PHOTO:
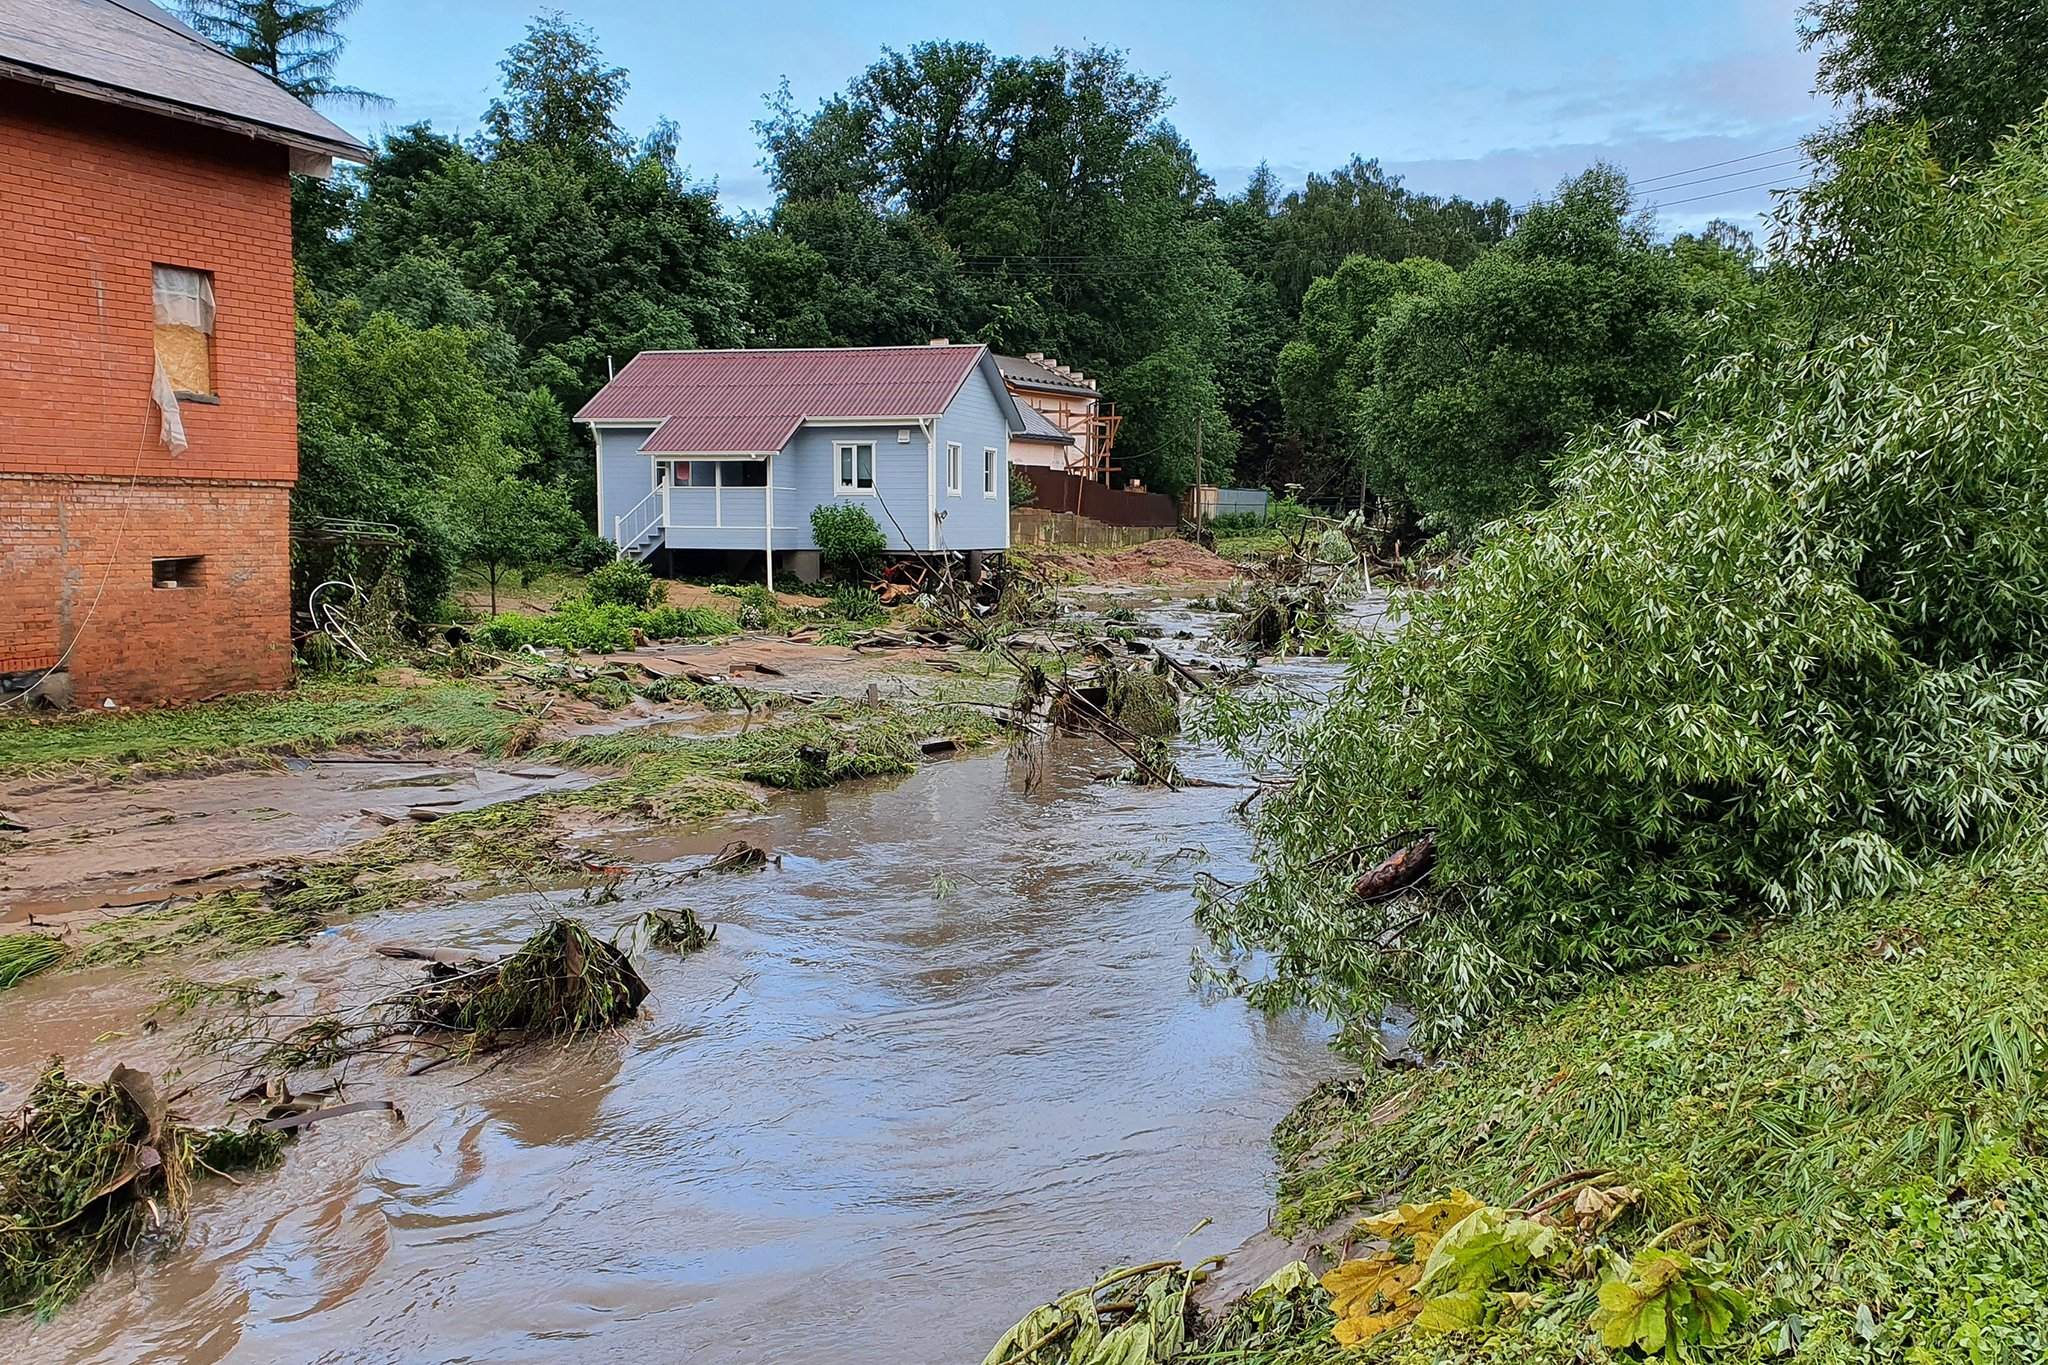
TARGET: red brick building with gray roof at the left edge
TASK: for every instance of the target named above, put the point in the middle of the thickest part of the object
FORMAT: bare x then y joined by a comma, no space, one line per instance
148,400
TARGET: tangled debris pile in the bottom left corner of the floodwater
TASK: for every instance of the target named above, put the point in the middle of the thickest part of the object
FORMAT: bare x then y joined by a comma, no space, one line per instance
95,1172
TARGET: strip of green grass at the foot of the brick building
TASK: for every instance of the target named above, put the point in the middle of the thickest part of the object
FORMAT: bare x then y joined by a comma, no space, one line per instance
308,719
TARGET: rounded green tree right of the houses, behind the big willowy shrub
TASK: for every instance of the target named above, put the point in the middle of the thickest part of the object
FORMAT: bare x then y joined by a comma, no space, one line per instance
1478,386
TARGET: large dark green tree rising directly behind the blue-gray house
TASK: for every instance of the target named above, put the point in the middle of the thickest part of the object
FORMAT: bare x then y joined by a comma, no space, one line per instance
1035,204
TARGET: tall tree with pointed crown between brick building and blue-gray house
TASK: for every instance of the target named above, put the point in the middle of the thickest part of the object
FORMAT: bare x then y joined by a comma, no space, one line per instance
556,240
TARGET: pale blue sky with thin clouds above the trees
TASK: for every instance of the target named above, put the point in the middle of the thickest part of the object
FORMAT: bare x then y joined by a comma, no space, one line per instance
1476,97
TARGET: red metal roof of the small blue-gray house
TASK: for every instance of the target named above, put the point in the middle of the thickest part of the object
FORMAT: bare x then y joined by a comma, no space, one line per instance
746,402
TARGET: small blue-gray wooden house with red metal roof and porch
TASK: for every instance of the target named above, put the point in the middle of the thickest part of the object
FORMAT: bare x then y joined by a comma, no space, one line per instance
732,449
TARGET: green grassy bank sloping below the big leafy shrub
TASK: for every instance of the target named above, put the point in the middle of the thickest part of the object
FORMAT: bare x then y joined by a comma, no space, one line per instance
1846,1110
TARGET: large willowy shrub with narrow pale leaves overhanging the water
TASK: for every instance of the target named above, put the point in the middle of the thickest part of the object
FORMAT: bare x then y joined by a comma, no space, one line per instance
1758,660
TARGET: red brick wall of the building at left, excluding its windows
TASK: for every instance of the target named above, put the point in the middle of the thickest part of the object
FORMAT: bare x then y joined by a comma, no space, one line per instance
95,200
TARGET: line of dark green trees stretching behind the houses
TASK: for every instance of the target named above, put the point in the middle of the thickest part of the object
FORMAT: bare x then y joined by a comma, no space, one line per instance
462,298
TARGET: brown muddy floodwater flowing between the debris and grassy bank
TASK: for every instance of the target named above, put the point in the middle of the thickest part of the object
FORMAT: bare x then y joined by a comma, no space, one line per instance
939,1065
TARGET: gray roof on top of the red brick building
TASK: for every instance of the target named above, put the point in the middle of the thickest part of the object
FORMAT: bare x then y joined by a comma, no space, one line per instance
134,54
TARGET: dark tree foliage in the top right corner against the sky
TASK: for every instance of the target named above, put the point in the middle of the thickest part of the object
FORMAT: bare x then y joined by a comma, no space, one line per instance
1971,69
